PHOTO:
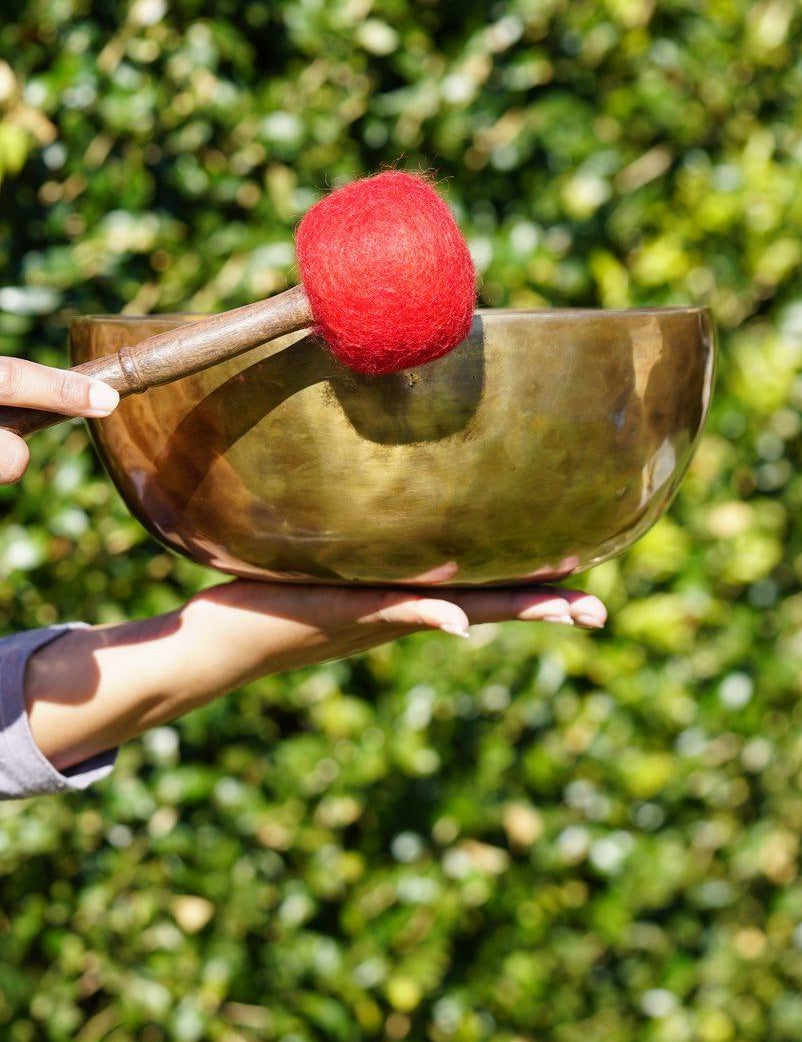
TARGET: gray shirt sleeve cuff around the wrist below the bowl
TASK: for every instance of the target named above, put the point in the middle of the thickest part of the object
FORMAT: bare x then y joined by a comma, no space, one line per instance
24,770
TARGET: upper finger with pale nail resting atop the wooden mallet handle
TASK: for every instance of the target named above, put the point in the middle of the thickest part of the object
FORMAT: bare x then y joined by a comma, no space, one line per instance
31,386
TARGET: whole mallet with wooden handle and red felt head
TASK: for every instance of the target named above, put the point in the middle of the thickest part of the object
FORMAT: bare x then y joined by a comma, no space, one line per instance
387,281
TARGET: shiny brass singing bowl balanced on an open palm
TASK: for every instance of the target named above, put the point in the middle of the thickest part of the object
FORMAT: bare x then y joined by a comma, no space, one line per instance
544,444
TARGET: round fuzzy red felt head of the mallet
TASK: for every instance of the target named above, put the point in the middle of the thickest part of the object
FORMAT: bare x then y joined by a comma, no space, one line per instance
388,274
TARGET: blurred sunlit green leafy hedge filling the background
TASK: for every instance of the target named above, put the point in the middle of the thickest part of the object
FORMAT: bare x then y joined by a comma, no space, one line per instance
541,835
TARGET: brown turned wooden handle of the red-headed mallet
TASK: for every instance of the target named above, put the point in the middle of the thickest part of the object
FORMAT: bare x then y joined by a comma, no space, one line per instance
181,353
